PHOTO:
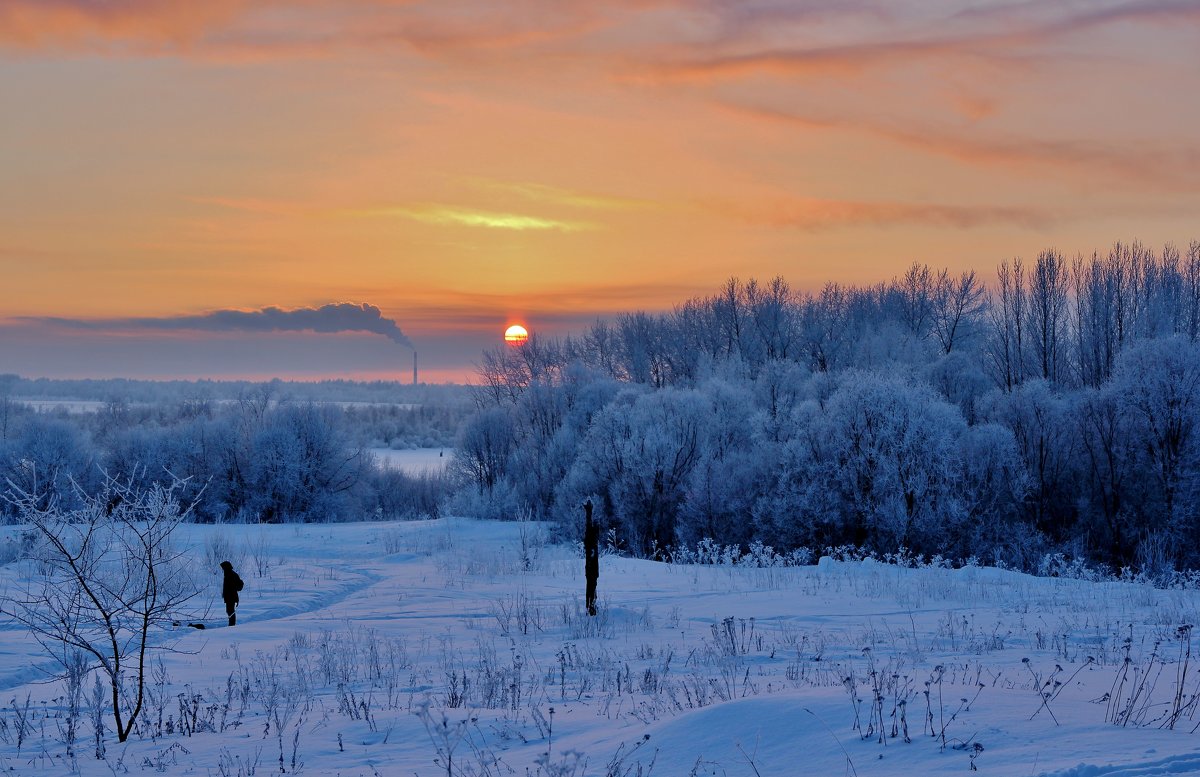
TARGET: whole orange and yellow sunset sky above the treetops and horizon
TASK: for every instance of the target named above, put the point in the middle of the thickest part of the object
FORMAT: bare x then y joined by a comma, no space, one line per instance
255,189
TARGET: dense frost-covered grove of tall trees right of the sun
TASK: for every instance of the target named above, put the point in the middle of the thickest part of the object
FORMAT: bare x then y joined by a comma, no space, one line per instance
1057,411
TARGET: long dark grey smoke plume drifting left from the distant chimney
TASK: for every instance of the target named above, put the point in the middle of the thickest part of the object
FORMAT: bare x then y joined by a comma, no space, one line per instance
337,317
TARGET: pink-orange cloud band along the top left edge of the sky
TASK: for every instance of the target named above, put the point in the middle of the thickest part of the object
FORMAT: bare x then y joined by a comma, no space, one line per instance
256,29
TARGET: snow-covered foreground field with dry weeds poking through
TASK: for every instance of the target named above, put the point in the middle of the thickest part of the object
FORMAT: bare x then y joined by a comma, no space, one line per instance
393,649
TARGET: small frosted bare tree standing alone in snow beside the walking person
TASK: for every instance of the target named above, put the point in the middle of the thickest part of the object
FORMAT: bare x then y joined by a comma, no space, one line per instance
105,580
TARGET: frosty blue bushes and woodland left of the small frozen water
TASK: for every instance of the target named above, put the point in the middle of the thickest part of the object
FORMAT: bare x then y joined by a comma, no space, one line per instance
261,457
